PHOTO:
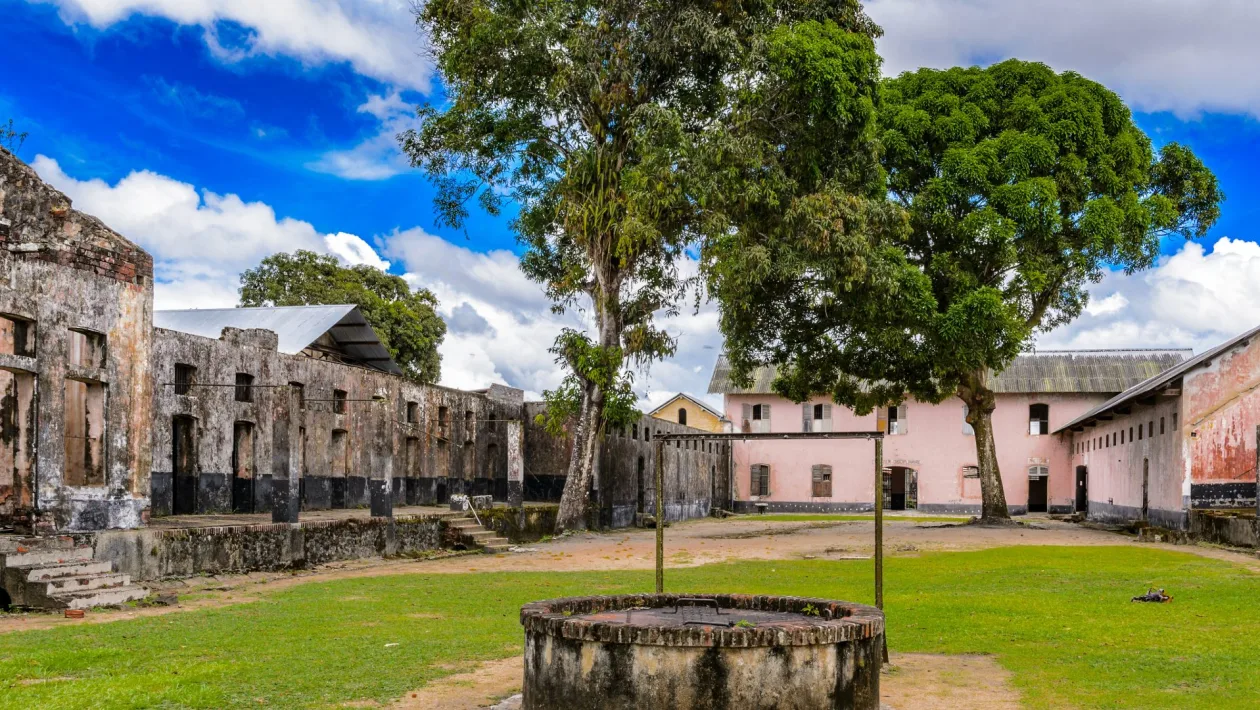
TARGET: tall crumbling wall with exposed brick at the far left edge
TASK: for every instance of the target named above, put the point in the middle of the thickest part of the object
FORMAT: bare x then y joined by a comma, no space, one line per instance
65,273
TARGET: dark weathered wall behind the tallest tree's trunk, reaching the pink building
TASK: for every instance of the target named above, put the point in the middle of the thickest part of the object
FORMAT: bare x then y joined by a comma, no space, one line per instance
697,474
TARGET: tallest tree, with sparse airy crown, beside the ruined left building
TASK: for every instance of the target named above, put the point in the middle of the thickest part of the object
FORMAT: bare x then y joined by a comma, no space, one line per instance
626,132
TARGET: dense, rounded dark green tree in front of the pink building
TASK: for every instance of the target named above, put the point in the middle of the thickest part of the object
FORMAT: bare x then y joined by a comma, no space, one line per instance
1020,189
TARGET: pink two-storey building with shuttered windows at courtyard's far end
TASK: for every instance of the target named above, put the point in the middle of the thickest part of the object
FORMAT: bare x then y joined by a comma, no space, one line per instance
931,451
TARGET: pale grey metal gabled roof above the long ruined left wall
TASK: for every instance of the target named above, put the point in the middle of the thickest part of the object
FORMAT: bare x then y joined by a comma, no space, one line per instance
295,326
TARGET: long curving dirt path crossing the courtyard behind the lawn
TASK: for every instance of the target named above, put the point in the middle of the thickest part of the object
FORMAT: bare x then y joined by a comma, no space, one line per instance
690,544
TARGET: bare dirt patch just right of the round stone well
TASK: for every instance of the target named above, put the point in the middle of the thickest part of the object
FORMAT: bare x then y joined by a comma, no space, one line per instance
915,682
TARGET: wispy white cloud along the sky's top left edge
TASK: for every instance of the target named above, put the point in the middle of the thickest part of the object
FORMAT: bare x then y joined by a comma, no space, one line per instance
377,38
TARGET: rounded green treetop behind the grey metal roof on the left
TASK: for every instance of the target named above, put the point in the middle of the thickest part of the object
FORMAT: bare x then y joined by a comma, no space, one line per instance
405,320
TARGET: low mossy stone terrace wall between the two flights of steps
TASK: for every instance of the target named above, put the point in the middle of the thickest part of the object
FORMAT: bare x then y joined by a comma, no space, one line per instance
152,554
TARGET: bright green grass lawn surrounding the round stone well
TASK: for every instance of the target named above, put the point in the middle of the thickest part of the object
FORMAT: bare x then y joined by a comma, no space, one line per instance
1059,619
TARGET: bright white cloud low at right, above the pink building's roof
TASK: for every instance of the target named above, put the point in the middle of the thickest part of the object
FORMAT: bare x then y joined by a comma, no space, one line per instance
1194,300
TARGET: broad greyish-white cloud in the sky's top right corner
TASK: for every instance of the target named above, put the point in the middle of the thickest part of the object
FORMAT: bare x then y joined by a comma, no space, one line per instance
1181,56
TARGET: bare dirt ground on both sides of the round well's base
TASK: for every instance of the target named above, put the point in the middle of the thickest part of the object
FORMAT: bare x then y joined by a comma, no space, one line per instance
912,682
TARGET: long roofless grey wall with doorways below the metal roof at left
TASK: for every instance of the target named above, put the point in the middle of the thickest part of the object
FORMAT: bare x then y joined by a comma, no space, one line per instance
449,442
